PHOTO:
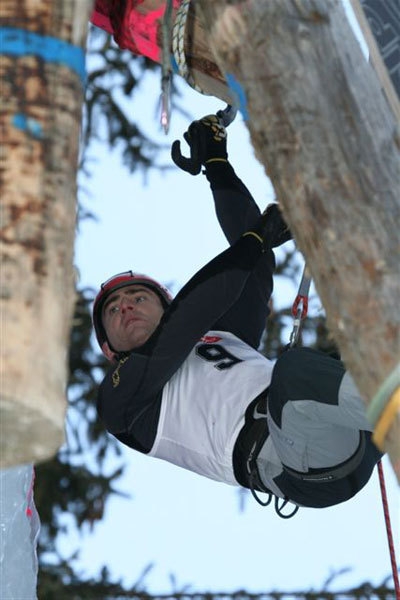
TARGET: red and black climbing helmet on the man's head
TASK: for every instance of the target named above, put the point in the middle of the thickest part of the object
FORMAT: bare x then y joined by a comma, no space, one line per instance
116,282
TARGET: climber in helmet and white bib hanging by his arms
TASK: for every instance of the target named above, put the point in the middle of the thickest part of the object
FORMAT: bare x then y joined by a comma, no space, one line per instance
187,383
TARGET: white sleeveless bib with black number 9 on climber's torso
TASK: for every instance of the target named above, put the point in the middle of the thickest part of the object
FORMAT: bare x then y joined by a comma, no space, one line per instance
203,405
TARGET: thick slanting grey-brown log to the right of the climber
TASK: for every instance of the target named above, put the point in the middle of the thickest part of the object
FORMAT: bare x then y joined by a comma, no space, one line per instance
329,141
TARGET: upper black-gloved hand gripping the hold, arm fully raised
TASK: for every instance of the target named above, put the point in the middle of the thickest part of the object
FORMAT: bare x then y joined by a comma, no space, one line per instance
207,142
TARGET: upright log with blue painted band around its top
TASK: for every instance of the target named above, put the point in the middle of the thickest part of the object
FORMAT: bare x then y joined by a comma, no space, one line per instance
42,67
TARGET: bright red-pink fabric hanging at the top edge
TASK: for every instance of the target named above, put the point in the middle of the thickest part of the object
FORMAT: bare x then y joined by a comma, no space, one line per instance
133,27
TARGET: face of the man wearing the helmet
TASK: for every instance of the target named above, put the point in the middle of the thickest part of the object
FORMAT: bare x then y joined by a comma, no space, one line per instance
130,315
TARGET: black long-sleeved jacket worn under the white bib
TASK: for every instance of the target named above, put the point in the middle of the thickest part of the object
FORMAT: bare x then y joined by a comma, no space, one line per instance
231,293
